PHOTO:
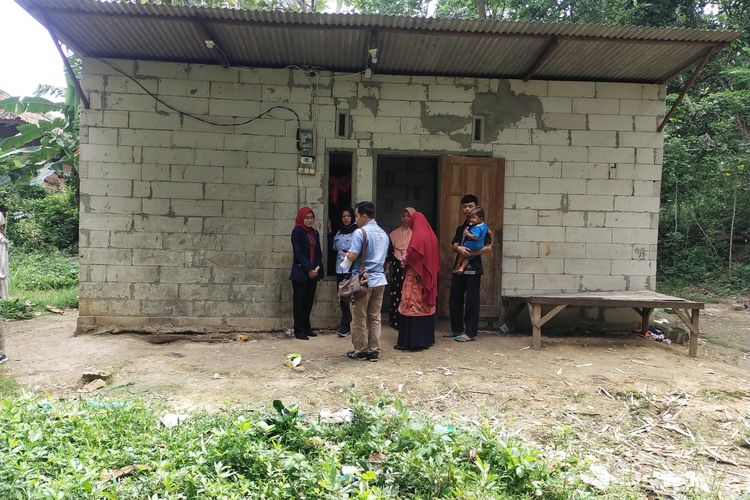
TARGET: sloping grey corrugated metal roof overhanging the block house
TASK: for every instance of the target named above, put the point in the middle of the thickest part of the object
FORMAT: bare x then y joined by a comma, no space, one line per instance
339,42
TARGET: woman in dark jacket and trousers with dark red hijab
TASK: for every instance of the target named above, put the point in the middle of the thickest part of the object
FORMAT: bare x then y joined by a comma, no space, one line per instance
307,270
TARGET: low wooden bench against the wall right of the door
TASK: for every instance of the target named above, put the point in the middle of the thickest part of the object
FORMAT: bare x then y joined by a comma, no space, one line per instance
642,302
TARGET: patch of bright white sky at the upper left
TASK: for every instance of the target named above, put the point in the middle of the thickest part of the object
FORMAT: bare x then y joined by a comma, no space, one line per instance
27,54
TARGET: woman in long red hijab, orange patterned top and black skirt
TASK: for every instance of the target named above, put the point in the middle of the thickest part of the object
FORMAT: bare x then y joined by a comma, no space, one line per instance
416,328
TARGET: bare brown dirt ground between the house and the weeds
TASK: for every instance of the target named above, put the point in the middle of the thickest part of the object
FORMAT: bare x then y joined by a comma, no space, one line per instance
645,410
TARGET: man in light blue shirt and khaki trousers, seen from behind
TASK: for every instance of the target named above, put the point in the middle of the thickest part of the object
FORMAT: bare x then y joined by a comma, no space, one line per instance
366,309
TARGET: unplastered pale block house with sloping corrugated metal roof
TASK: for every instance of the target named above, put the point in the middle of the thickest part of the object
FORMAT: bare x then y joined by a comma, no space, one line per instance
206,129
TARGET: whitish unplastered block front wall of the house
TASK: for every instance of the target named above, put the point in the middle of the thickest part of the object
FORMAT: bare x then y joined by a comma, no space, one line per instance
186,223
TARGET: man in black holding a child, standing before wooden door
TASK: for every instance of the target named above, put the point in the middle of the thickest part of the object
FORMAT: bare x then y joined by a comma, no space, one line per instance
464,294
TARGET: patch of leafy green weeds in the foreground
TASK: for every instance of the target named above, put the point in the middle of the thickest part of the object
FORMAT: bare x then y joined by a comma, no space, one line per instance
61,449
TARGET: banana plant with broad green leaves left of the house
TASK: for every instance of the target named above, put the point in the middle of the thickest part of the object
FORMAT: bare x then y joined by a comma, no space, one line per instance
40,149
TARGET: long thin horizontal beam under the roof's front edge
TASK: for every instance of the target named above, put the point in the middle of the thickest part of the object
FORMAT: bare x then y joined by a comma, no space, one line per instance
437,32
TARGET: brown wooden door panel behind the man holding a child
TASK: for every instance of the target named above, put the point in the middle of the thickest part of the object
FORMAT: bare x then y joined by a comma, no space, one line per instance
484,177
